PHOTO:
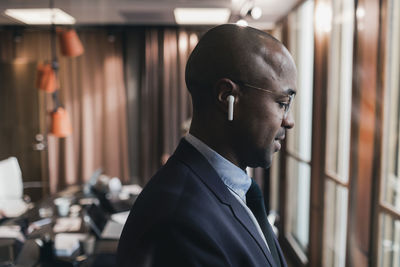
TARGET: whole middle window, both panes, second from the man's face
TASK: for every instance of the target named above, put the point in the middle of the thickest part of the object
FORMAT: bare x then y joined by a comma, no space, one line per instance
338,123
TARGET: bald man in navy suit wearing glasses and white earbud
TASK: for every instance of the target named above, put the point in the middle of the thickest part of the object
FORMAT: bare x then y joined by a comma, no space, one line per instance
201,208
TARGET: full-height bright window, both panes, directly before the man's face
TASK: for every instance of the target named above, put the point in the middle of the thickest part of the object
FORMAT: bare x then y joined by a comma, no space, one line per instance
298,149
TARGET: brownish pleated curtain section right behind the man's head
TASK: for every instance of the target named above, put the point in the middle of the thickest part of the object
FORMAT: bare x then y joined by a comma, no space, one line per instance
164,100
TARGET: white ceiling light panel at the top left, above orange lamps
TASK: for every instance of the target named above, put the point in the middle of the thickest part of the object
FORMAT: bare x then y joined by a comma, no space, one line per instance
40,16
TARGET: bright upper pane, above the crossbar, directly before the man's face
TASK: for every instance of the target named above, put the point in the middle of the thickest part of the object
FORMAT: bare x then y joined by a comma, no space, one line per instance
302,49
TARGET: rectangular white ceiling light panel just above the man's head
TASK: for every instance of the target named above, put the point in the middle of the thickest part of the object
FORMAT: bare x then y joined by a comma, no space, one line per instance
207,16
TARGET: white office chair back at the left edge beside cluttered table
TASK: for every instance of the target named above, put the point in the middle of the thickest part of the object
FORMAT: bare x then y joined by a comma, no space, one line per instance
11,188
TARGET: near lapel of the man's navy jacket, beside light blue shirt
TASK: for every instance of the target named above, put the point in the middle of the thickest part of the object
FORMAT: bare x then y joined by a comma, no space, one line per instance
186,153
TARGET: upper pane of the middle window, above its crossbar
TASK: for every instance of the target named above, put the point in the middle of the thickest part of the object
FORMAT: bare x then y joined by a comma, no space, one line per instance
339,89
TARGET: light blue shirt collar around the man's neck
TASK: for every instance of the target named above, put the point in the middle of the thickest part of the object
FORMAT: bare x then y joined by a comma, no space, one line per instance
233,177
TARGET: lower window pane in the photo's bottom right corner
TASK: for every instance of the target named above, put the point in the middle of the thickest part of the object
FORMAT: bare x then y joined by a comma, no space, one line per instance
389,242
